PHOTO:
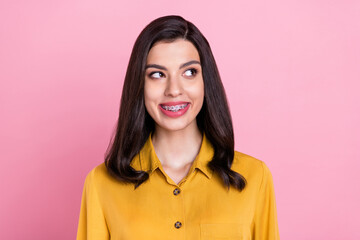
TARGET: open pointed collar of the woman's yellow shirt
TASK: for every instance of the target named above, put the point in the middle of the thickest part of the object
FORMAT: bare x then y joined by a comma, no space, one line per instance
147,160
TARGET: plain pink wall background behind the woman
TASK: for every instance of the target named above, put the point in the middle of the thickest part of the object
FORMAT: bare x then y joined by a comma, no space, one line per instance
291,70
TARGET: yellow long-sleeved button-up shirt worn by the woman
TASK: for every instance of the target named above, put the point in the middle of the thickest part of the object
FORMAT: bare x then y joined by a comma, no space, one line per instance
199,207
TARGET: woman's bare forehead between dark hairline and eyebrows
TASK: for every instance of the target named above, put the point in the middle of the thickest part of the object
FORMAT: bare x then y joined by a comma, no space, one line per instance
178,51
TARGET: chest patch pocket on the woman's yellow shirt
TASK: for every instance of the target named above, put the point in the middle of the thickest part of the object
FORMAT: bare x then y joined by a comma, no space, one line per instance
222,231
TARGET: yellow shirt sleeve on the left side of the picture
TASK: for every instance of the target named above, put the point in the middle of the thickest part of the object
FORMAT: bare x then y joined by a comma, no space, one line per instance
92,224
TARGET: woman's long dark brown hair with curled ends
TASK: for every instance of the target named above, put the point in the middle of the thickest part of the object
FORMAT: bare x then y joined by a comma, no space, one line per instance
135,124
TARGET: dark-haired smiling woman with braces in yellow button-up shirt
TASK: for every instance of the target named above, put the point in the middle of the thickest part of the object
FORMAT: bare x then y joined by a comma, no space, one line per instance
171,171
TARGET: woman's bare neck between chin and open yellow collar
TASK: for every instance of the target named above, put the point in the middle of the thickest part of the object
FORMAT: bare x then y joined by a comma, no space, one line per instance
175,149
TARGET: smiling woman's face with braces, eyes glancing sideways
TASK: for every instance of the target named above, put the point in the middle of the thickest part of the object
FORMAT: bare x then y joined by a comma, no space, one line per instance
174,87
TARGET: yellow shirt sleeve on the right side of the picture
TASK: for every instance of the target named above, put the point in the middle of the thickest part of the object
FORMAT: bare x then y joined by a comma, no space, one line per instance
265,225
